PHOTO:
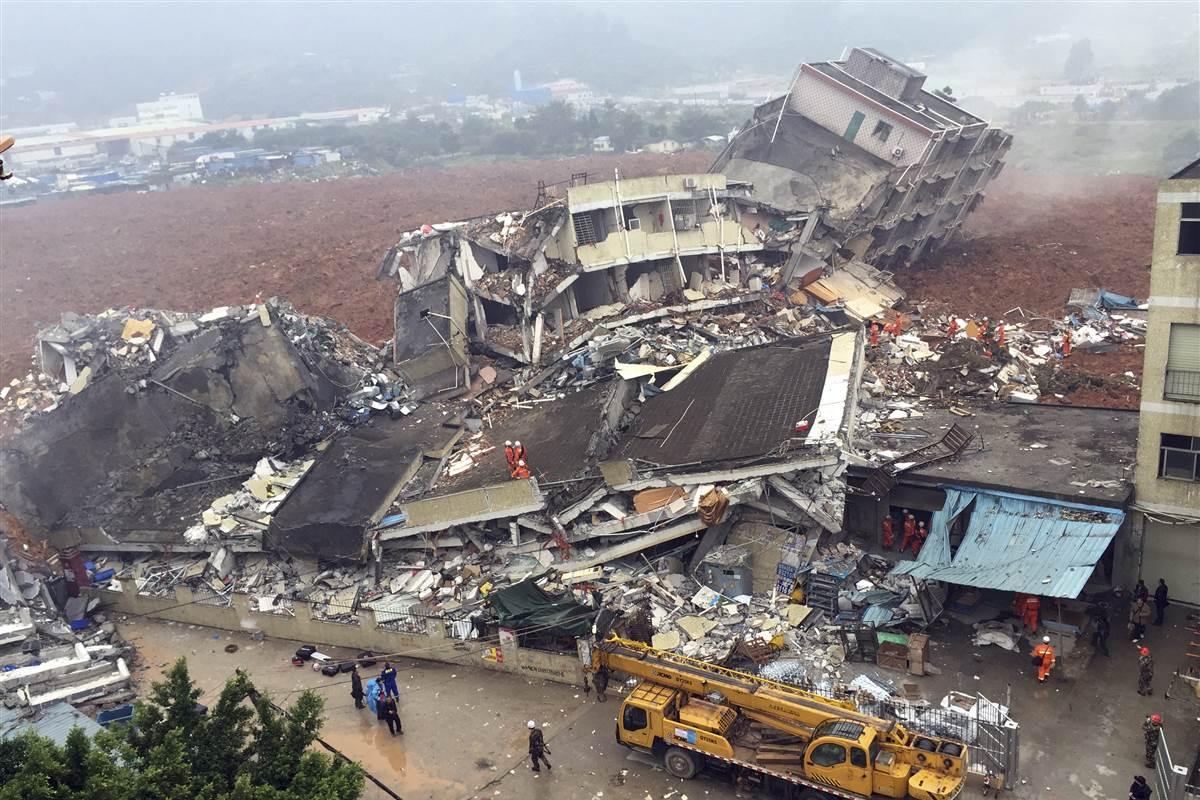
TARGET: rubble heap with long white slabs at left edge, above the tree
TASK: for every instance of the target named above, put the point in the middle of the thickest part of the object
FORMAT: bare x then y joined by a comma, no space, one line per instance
56,645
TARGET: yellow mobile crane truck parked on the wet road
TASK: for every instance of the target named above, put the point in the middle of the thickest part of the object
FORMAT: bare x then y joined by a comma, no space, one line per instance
801,745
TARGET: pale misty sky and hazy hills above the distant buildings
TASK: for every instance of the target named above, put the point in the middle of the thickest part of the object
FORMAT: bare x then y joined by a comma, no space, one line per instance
250,58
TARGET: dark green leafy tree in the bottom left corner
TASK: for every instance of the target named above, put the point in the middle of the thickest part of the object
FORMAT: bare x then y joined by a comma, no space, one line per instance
173,753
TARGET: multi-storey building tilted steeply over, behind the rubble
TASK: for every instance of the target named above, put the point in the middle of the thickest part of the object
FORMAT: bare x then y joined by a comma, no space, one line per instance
887,171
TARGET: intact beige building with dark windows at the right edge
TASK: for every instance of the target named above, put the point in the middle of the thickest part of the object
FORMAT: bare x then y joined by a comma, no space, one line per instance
1168,476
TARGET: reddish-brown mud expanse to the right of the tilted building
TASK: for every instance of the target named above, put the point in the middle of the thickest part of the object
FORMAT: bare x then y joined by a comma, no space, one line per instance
1036,238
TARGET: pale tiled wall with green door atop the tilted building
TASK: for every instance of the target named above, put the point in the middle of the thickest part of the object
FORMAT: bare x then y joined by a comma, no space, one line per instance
832,106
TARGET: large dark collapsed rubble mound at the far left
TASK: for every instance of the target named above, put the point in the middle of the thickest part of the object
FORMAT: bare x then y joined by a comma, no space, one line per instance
177,405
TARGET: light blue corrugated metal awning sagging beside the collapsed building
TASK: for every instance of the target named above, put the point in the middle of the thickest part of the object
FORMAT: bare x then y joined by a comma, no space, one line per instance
1019,544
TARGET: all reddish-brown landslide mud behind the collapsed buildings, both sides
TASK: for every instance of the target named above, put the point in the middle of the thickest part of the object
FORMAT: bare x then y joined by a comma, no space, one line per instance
1034,240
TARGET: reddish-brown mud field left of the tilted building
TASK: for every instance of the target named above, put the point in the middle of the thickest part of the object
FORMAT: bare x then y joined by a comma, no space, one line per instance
316,244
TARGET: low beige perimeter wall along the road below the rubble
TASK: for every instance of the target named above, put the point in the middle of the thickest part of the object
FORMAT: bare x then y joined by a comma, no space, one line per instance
434,646
